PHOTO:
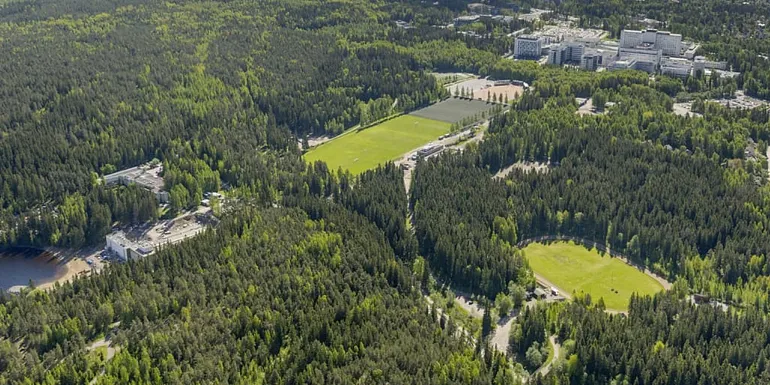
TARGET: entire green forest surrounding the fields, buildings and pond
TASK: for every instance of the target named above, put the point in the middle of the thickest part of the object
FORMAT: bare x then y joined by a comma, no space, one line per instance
318,276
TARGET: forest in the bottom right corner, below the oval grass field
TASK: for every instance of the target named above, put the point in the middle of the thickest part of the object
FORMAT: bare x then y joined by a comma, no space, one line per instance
662,340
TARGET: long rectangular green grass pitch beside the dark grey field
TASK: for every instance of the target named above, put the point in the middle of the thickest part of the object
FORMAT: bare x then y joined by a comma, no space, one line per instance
364,150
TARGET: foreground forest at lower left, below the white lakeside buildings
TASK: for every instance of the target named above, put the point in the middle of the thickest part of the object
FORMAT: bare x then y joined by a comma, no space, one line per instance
269,297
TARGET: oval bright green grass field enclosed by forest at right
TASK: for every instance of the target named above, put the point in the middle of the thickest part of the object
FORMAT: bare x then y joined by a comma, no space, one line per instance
573,267
